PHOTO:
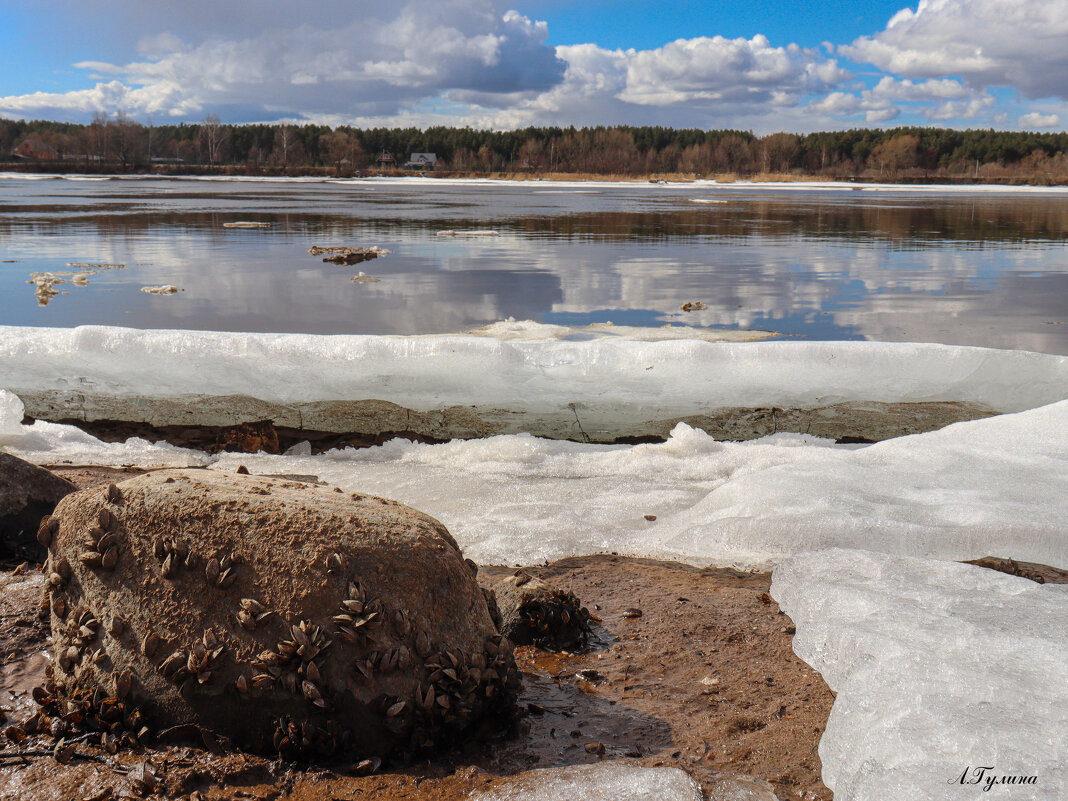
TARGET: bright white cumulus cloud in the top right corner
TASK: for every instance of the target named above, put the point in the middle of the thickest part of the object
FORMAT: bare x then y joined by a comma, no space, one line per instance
988,43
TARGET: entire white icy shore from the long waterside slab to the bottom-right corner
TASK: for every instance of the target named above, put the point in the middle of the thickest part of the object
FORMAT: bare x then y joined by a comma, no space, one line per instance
941,669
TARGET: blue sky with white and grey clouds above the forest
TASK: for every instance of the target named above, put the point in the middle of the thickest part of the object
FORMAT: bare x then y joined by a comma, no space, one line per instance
797,66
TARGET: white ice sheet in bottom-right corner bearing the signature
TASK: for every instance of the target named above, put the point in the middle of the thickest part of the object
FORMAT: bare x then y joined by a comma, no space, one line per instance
940,669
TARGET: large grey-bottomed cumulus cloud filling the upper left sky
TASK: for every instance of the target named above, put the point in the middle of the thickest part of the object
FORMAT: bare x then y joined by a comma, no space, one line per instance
356,68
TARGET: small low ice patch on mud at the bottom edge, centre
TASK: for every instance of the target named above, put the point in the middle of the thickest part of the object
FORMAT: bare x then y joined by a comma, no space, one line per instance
615,781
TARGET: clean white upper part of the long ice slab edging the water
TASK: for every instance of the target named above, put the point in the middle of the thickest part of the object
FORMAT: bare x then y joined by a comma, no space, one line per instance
606,378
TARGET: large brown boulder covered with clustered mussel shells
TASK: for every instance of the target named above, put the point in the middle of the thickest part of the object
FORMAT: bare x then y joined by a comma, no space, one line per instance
288,617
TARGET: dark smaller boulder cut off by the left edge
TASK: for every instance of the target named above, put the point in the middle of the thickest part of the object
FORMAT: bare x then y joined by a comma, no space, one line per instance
27,494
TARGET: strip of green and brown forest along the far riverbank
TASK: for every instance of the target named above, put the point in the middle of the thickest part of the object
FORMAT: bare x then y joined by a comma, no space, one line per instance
904,154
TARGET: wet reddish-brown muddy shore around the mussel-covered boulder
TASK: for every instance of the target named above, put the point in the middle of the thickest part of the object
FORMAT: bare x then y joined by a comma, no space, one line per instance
703,680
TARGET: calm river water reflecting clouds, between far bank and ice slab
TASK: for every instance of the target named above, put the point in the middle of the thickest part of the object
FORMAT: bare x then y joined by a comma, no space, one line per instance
959,268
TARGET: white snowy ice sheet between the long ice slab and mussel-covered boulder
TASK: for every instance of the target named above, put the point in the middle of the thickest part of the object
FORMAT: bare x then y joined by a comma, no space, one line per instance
997,488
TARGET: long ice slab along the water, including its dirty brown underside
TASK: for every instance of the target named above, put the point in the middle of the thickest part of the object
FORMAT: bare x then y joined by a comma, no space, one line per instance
468,386
